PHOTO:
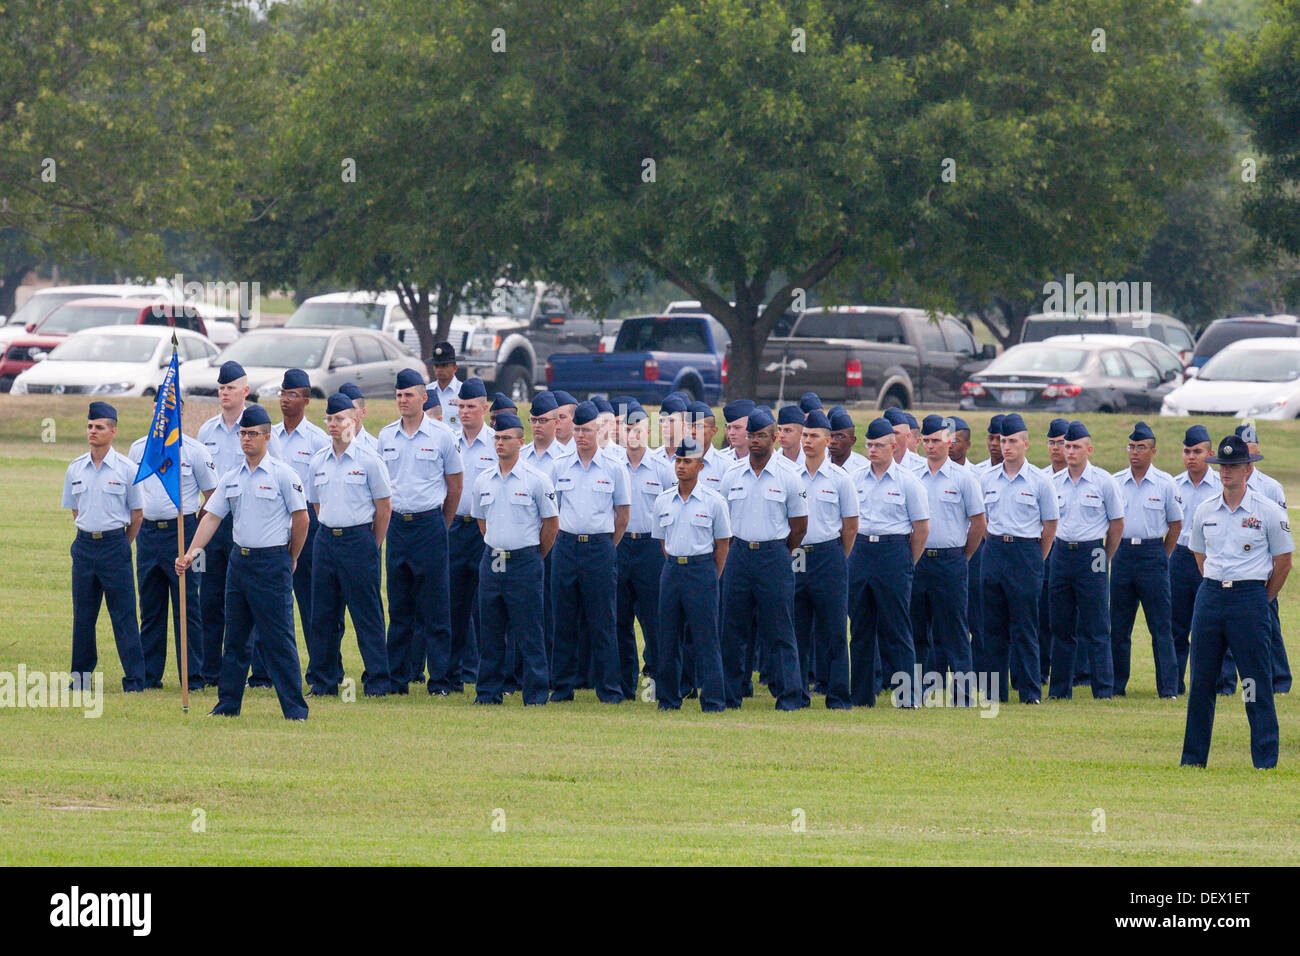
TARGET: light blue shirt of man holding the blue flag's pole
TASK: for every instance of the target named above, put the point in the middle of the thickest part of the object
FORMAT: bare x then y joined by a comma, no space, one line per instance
262,500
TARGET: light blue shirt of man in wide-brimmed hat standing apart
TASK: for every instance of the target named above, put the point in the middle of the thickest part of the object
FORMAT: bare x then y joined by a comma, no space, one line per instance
1240,543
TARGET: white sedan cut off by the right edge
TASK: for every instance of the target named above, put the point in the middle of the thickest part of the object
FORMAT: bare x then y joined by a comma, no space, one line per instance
1253,378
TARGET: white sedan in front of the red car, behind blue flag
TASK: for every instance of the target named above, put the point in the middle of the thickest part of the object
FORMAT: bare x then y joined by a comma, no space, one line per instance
111,361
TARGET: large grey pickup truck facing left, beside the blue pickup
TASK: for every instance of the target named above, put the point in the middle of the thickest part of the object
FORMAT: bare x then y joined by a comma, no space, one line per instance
508,336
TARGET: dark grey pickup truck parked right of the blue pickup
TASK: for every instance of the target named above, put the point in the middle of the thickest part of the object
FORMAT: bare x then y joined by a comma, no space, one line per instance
881,354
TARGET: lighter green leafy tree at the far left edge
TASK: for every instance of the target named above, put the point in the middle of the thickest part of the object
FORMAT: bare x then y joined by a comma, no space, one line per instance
119,119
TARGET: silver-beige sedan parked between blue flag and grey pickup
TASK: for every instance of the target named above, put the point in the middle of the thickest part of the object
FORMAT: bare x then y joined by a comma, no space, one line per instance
330,357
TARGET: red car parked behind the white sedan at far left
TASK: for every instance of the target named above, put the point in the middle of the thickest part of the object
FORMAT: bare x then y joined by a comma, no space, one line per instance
88,314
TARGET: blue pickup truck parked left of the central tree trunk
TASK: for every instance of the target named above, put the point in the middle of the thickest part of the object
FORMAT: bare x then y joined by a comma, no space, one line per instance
652,357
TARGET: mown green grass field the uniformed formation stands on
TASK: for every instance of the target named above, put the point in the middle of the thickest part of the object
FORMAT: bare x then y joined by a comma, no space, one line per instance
436,781
